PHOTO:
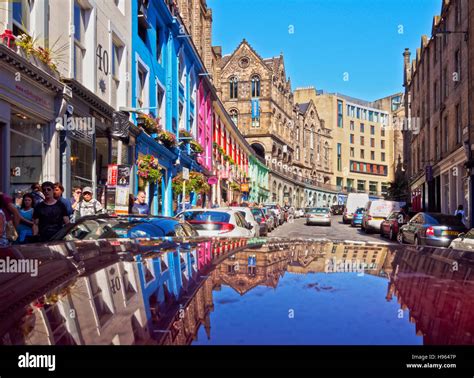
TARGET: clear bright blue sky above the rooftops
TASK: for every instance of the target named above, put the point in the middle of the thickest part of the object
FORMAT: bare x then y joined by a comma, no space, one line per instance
330,38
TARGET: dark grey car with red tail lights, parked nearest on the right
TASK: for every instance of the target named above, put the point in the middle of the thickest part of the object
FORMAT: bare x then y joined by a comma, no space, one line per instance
435,229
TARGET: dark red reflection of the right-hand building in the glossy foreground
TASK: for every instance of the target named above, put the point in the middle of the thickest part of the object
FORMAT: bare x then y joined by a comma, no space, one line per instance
436,286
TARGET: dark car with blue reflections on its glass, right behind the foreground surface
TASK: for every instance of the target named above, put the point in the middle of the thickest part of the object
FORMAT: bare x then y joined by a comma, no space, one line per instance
105,226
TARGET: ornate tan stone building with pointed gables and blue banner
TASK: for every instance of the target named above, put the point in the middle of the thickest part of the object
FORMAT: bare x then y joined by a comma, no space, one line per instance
257,94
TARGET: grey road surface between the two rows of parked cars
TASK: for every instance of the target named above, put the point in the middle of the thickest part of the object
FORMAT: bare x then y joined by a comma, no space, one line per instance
337,231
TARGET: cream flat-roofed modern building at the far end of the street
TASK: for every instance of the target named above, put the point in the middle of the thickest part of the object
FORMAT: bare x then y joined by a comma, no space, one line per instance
363,144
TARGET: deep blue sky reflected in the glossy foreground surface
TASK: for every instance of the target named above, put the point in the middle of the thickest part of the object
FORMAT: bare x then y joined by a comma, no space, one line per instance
316,308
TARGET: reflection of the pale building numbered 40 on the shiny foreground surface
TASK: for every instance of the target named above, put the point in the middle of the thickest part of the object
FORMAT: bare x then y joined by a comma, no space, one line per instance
101,308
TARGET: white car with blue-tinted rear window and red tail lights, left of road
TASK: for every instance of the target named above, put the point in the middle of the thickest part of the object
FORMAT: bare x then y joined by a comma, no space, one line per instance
217,222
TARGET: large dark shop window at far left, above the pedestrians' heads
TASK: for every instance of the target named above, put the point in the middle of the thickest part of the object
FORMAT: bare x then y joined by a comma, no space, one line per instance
28,146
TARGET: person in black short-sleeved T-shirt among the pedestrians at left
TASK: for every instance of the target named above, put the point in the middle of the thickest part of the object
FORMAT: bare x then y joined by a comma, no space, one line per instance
50,215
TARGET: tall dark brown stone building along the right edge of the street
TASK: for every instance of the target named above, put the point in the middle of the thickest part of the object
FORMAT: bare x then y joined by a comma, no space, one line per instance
437,105
